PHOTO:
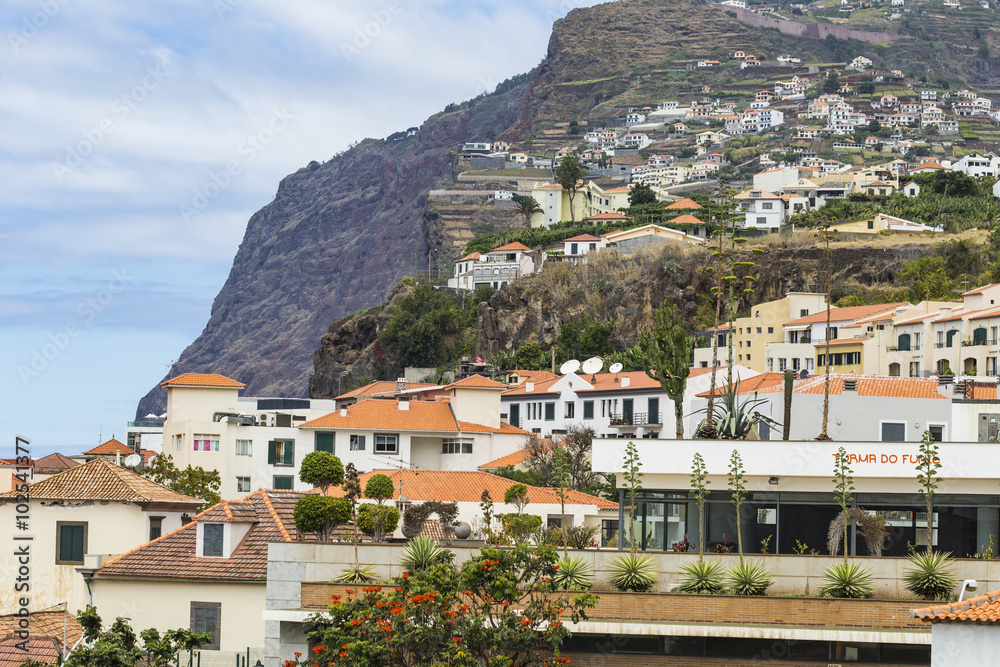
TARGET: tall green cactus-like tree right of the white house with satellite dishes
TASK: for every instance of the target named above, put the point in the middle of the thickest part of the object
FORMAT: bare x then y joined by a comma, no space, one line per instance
665,351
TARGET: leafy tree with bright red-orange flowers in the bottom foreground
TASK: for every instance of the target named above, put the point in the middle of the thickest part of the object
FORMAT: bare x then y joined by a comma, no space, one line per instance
499,609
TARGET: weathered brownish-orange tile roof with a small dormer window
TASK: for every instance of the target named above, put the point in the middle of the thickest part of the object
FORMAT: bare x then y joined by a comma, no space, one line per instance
174,556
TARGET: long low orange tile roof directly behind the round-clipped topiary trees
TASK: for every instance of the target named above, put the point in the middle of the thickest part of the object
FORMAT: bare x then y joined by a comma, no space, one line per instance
468,486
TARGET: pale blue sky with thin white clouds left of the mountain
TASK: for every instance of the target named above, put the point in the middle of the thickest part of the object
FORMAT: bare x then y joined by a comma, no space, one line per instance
138,139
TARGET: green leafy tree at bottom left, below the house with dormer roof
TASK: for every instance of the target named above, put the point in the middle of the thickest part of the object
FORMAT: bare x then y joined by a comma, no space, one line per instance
118,646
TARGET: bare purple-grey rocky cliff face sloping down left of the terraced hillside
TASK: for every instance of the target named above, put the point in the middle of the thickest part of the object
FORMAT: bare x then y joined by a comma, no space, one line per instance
334,240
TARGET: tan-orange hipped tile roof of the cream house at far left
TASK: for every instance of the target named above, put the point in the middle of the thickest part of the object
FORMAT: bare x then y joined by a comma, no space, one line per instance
100,479
